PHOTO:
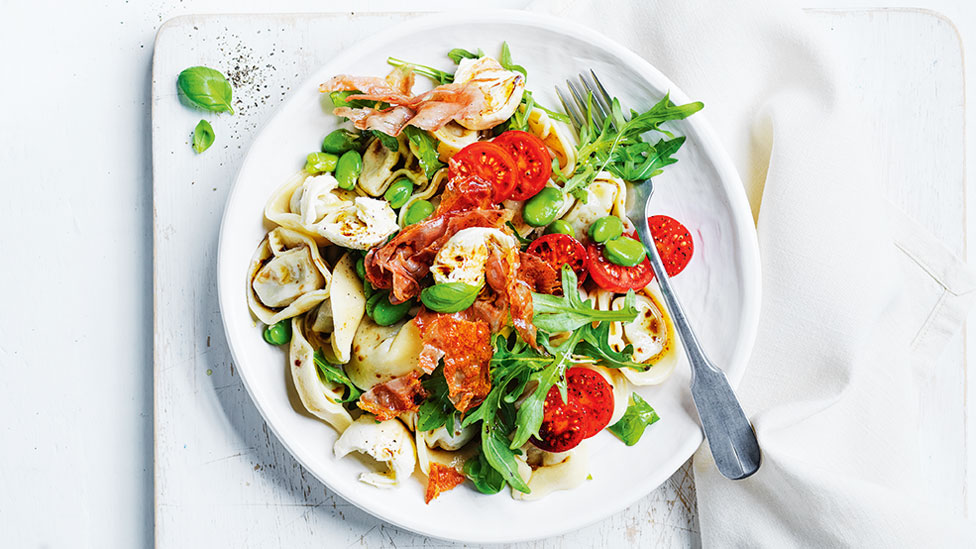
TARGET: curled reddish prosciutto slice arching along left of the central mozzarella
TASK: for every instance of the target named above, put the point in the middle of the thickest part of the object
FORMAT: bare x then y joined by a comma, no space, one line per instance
401,263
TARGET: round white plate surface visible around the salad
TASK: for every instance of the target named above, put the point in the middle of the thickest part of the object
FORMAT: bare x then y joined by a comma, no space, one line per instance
719,289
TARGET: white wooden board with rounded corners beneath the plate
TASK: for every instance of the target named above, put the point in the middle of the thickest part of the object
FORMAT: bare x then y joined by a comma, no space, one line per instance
221,478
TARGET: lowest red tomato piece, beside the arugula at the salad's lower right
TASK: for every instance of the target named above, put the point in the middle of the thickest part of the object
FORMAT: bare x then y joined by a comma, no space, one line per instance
585,412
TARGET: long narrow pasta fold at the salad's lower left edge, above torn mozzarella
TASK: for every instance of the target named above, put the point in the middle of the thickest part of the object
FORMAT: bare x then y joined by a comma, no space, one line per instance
319,396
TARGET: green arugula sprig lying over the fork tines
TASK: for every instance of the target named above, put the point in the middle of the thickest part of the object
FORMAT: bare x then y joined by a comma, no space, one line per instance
617,146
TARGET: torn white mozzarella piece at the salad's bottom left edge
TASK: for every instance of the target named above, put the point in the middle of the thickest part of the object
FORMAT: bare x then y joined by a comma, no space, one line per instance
388,442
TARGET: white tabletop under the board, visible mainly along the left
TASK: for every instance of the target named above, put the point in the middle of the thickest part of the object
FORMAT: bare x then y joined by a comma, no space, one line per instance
76,333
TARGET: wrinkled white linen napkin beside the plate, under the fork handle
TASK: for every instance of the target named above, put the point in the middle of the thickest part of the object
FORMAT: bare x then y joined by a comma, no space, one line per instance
830,384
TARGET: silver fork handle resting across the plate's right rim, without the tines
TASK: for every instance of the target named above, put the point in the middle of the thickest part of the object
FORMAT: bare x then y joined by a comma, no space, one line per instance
730,435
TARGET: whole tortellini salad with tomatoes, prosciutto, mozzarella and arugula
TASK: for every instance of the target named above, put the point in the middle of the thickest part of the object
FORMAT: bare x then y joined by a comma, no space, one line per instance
457,283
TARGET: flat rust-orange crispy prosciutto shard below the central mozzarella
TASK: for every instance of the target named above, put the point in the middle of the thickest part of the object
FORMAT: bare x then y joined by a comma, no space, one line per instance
465,346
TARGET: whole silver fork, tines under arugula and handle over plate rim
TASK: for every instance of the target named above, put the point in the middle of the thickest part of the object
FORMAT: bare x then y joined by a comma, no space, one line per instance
729,433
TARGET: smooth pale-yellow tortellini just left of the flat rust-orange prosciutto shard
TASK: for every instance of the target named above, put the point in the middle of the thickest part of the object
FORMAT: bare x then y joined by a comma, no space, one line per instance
381,353
